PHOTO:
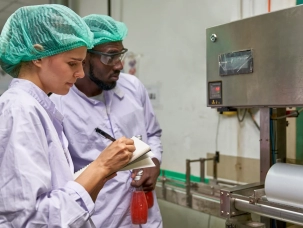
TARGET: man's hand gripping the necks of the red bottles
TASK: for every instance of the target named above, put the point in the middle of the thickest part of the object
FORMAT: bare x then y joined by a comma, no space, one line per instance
149,178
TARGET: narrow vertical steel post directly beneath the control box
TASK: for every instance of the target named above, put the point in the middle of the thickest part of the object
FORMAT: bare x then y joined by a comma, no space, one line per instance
264,143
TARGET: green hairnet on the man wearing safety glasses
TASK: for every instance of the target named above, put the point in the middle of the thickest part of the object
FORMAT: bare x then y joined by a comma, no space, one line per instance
105,28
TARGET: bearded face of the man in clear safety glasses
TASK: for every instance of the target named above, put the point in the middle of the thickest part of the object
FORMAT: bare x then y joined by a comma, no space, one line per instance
107,75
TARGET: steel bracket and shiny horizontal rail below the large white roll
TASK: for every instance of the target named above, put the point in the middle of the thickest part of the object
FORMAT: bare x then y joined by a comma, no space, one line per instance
251,198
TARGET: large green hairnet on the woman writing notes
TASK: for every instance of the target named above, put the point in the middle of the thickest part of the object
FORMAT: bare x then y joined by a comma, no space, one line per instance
34,32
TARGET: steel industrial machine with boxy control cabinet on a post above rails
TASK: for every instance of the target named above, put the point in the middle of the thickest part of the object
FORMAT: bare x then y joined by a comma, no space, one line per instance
258,62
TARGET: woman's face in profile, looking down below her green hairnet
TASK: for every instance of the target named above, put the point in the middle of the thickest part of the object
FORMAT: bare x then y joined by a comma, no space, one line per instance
58,73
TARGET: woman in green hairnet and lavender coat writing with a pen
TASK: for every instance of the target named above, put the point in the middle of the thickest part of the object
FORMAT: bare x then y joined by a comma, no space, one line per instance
44,47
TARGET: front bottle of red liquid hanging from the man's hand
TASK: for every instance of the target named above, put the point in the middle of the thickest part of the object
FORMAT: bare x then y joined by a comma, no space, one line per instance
138,207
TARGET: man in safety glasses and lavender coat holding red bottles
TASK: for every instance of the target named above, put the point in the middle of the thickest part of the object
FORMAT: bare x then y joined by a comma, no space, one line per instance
118,104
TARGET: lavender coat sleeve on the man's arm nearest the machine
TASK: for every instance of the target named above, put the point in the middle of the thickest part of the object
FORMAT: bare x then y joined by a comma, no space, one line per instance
153,129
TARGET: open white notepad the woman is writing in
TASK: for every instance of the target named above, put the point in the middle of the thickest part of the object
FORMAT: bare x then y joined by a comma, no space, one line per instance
141,158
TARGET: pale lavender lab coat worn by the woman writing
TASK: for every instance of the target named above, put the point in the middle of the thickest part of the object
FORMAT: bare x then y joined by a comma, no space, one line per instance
27,197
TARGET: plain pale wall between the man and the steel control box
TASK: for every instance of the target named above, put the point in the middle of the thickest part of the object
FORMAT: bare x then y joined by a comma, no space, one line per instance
171,37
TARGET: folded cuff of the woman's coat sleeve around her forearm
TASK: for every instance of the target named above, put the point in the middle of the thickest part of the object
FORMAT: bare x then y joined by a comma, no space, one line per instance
83,195
